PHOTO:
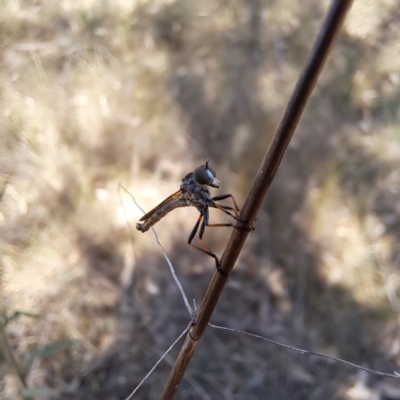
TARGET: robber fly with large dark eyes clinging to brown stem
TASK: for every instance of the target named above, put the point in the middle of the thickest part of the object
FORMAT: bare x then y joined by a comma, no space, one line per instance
194,192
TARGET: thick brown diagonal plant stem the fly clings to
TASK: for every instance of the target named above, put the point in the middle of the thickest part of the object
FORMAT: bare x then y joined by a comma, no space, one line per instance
276,150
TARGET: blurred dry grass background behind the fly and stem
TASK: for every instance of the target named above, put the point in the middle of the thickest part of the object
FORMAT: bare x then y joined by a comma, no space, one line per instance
97,93
